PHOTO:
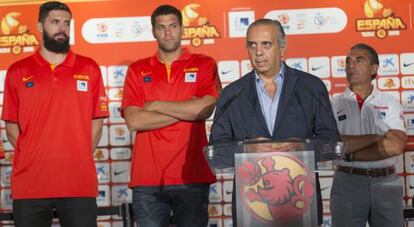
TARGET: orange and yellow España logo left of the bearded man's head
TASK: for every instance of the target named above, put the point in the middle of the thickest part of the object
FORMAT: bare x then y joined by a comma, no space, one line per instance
16,37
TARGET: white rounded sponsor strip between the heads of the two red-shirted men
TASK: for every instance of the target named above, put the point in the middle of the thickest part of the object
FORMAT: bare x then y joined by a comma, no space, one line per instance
118,30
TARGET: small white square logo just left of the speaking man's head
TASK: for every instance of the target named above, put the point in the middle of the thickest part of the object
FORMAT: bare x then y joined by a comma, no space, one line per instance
239,21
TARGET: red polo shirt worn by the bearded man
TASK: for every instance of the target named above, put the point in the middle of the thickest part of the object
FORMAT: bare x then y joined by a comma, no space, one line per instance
54,110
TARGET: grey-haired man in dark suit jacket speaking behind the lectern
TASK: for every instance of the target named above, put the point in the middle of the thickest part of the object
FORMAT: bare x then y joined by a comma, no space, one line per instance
273,101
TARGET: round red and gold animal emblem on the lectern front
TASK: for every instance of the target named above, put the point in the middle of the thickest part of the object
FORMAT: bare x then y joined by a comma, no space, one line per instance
276,187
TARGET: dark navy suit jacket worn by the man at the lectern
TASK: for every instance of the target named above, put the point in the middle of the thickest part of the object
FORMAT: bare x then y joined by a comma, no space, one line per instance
304,111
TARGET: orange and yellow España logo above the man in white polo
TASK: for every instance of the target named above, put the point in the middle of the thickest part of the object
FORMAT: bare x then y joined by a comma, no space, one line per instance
381,20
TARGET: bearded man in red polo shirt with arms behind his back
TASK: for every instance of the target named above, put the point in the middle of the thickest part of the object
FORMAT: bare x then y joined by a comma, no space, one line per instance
54,105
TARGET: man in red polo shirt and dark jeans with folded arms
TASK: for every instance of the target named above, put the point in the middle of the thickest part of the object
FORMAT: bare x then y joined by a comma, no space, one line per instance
166,99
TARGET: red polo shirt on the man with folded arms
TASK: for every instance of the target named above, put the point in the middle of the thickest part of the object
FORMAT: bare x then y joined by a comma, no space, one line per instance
173,154
